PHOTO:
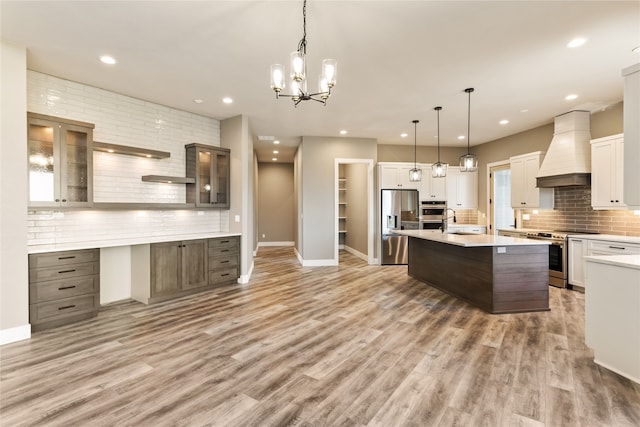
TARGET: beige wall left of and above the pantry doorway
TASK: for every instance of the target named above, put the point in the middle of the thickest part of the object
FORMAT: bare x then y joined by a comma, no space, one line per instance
316,196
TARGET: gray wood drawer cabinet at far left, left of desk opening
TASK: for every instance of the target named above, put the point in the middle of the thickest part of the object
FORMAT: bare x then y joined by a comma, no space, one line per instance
64,287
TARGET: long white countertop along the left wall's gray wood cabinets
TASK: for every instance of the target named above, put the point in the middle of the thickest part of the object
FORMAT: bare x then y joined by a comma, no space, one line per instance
104,243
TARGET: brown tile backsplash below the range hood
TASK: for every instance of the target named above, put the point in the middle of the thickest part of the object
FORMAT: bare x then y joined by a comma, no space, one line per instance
573,212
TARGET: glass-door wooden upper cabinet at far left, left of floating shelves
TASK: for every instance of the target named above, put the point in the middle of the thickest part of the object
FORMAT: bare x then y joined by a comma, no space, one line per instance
60,162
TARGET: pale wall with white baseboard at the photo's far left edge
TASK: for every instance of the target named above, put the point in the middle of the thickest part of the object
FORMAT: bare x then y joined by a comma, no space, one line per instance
14,285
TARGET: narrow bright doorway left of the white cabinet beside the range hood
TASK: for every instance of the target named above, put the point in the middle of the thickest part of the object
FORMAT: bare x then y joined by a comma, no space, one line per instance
501,214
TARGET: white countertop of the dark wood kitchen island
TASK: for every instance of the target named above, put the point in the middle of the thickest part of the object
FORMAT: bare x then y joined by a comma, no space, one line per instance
471,240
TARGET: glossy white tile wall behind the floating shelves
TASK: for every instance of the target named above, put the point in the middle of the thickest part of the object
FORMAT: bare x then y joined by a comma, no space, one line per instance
123,120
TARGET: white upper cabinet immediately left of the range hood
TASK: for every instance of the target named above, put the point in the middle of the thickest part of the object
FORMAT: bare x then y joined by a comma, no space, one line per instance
524,193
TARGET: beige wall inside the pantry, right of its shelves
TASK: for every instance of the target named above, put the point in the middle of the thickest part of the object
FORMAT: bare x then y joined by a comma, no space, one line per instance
356,211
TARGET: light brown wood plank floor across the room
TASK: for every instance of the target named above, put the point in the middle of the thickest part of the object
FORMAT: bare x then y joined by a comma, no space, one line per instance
352,345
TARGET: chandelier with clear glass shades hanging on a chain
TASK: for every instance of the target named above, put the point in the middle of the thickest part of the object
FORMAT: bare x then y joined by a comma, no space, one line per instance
298,78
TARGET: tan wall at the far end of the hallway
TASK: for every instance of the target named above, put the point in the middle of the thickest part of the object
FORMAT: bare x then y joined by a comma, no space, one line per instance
275,202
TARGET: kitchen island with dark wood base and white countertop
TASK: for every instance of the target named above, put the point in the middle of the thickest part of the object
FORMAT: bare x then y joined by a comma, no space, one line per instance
498,274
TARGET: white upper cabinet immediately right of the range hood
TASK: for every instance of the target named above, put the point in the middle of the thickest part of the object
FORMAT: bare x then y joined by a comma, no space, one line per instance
607,172
